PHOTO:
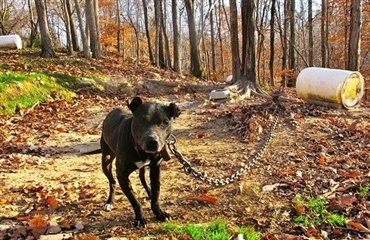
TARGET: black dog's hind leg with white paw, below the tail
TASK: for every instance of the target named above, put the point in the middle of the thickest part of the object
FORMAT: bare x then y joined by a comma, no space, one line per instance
107,160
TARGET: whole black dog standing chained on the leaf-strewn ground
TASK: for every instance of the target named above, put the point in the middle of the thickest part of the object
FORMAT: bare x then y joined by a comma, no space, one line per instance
137,140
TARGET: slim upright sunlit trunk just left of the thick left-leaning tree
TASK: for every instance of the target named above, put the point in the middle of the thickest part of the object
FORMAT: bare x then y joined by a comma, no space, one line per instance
176,38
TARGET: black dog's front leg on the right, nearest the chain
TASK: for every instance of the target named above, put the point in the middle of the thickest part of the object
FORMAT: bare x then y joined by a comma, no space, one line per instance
155,175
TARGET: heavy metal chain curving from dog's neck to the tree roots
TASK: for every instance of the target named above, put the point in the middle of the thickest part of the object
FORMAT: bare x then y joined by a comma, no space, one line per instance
190,170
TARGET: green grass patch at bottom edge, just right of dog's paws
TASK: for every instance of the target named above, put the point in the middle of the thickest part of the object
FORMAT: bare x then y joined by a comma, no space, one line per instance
216,230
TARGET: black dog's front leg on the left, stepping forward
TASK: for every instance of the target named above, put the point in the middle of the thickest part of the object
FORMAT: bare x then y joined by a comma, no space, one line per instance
124,181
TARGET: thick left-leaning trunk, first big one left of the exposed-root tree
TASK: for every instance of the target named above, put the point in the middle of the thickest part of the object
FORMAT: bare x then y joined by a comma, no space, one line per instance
196,68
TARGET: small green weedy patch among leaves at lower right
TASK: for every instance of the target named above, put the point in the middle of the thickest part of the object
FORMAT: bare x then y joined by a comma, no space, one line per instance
314,211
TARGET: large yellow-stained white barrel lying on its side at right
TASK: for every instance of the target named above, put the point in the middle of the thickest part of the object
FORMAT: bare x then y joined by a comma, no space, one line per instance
330,85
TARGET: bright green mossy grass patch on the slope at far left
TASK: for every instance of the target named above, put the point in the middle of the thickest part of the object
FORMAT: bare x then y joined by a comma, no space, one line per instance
22,90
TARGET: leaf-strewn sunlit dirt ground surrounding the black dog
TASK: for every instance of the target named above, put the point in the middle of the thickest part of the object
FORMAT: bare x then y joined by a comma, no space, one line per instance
49,189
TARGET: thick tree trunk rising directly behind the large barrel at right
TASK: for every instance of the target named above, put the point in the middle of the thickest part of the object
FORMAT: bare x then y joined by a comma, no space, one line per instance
354,49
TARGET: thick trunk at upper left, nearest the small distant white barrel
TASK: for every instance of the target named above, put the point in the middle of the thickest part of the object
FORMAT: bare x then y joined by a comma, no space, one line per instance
47,48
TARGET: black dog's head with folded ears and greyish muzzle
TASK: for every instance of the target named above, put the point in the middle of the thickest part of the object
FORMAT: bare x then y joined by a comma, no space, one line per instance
152,124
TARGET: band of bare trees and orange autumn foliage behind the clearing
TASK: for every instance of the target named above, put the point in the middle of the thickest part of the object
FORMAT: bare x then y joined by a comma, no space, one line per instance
268,41
